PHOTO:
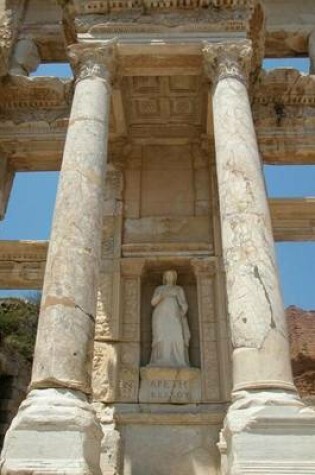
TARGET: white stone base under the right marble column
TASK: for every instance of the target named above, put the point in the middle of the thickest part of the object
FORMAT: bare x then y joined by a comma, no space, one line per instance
268,433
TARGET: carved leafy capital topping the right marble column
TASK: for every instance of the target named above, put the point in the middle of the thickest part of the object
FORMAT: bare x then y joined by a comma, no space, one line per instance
228,59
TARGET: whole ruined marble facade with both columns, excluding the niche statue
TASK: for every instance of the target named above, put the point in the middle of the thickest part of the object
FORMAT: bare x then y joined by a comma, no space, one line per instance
160,152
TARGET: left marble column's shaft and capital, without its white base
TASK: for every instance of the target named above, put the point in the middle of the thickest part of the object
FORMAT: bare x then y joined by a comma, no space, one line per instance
63,353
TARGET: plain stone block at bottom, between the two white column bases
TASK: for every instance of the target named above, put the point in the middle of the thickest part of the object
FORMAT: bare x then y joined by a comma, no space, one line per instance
170,449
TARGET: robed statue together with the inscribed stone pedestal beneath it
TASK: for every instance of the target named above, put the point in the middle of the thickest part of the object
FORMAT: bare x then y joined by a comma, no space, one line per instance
168,378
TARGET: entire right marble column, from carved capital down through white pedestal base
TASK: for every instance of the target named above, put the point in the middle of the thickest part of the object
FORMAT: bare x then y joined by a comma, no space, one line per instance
264,424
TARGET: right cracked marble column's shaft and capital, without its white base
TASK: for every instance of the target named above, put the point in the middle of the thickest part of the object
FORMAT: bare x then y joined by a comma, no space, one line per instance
257,319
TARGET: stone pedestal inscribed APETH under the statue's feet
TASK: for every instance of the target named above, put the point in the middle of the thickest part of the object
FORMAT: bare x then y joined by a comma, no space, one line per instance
170,385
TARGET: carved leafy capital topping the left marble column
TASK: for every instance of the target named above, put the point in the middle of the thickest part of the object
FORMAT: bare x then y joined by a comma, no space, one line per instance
96,60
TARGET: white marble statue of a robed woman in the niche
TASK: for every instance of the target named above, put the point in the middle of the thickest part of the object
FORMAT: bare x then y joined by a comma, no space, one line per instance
170,331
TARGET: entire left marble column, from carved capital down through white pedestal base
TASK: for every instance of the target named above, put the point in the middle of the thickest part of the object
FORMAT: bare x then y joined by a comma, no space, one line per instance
56,414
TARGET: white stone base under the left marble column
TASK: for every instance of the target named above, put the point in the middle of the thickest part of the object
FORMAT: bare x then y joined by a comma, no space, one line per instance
54,432
